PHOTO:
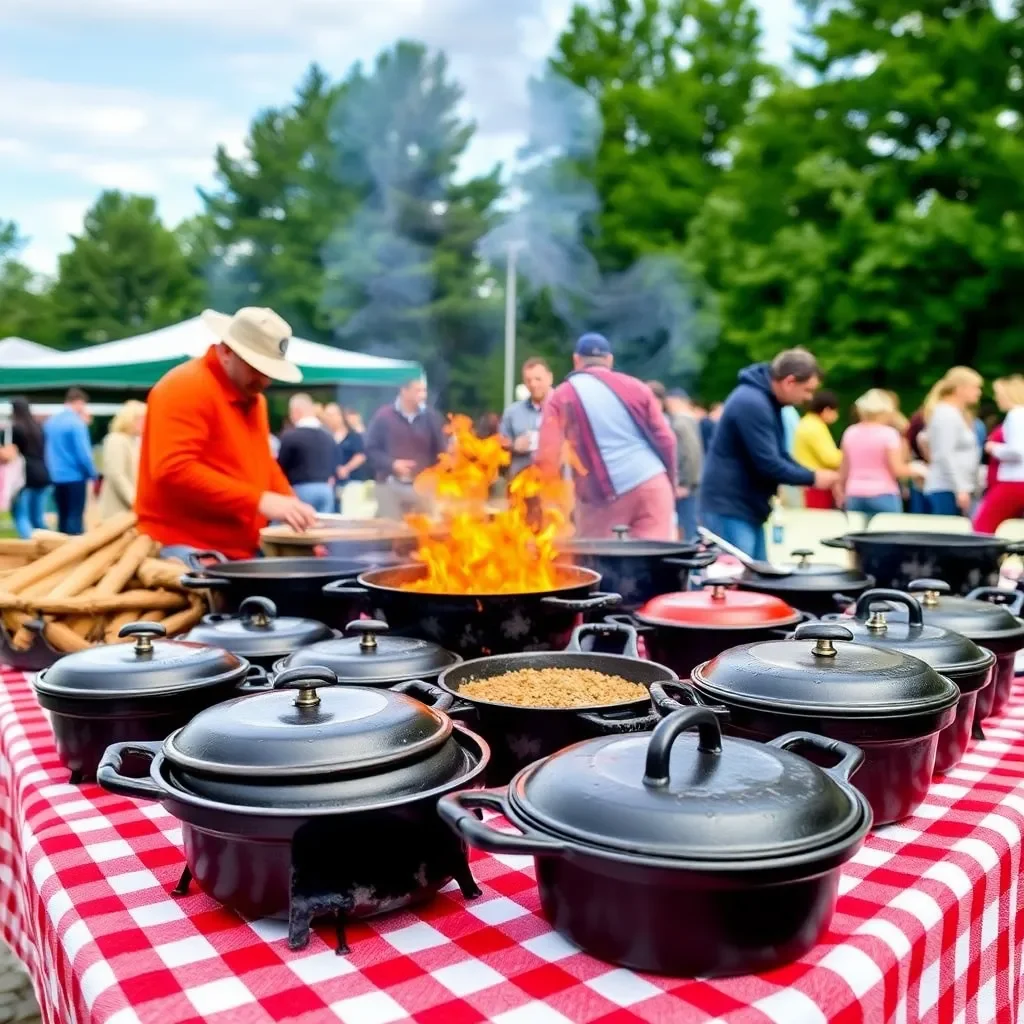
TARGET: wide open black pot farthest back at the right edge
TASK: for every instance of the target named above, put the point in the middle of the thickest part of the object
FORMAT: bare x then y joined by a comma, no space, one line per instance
963,561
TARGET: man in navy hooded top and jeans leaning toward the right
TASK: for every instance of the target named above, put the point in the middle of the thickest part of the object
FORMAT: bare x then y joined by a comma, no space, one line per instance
748,460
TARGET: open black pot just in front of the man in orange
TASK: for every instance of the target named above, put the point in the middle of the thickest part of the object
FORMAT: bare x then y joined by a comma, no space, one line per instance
295,585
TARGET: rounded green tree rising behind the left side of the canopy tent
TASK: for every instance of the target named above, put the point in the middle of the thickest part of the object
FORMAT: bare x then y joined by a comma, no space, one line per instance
125,274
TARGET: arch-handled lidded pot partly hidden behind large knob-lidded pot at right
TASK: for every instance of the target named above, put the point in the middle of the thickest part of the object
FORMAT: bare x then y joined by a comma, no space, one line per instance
957,658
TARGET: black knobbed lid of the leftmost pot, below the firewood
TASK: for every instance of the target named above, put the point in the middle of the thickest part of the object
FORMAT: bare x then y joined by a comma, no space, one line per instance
149,667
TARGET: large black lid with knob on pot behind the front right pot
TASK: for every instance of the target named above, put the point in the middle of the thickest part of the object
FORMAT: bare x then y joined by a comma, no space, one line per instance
821,672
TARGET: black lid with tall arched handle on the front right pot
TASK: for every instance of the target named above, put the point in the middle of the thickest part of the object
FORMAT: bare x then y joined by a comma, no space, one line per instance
686,792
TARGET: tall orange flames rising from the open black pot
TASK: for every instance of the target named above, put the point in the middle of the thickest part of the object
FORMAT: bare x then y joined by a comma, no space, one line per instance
480,550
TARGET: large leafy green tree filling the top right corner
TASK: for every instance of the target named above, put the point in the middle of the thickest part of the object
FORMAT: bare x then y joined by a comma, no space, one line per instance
874,216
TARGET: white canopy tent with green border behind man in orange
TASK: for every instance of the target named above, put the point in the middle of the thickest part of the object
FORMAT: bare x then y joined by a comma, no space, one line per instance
137,364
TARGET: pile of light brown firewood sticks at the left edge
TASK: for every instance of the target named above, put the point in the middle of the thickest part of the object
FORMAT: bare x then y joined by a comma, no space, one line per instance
82,590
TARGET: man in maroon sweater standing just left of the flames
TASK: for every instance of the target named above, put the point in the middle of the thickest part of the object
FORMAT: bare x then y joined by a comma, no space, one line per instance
403,440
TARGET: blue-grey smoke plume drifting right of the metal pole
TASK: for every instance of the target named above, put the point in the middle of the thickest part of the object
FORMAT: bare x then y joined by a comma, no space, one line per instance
649,311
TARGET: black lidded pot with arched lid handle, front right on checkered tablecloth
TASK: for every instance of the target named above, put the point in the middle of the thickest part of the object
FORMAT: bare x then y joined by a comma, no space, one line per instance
682,855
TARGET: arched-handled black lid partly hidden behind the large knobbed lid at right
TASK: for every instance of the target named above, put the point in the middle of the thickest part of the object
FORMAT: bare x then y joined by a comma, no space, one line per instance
947,652
